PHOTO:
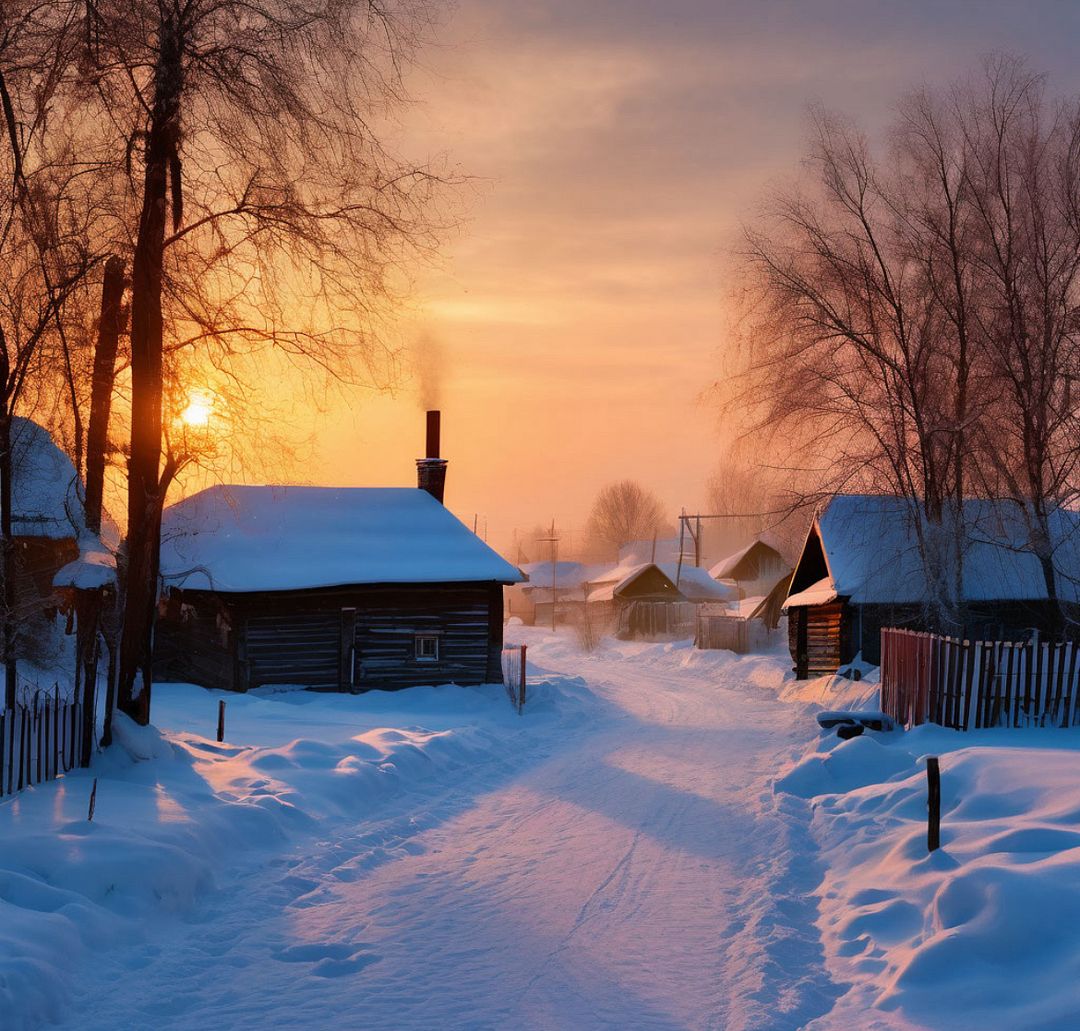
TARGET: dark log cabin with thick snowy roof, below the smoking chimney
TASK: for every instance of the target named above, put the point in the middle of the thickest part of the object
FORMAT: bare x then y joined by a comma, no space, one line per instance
339,589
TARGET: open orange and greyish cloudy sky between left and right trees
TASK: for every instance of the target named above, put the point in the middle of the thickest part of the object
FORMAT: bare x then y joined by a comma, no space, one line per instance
580,310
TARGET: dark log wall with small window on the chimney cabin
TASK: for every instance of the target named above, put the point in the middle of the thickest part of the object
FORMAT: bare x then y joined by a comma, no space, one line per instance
342,639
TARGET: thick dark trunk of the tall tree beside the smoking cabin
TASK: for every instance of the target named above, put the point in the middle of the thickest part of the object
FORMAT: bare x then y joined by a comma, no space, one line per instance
144,486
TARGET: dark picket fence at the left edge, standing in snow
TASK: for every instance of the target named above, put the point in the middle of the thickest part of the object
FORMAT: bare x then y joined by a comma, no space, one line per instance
40,739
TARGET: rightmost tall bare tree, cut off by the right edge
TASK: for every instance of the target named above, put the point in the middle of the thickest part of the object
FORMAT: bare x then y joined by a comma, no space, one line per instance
1023,166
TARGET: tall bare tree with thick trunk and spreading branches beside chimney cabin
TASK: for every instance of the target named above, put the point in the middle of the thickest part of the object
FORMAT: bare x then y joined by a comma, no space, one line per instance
269,215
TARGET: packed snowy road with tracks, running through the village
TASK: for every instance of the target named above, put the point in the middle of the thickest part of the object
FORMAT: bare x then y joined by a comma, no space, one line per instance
637,873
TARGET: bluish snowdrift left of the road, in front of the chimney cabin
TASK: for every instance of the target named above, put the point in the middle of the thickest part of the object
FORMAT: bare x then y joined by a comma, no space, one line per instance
177,809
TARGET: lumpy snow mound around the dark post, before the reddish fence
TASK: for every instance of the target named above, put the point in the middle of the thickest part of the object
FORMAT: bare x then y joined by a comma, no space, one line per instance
981,933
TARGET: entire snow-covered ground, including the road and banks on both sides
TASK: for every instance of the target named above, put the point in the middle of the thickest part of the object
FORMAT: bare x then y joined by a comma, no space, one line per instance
664,840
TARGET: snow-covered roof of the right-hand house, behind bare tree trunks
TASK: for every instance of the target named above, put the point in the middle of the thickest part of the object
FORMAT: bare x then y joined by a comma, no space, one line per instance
873,557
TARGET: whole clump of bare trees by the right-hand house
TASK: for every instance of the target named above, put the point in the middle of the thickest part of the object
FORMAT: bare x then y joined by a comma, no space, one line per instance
919,316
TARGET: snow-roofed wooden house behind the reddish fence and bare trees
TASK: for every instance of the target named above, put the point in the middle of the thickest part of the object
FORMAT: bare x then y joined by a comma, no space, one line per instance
861,569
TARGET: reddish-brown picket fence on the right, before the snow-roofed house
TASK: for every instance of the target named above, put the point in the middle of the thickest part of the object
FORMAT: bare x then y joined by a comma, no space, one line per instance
970,685
